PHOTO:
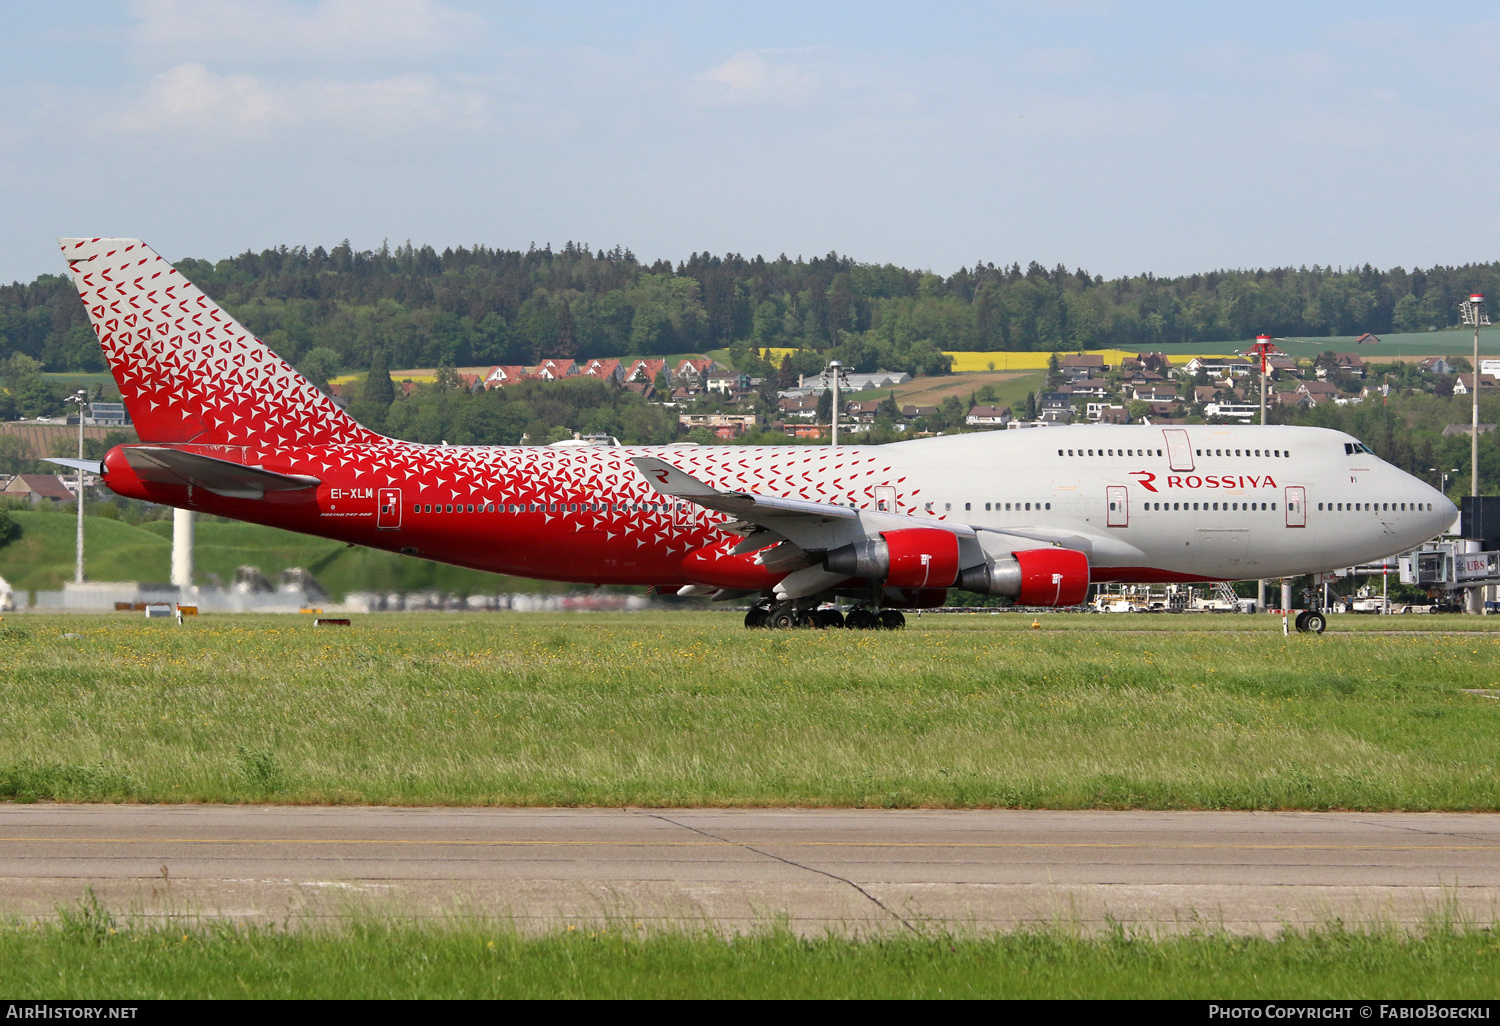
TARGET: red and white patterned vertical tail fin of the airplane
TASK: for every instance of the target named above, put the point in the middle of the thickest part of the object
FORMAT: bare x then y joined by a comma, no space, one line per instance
188,373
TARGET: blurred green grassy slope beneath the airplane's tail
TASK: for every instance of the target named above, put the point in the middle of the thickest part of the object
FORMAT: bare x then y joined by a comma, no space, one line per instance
43,559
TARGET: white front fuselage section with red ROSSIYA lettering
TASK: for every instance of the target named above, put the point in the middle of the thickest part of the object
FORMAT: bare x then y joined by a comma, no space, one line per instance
1216,502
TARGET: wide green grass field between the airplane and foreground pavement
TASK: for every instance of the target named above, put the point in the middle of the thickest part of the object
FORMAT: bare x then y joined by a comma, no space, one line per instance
694,710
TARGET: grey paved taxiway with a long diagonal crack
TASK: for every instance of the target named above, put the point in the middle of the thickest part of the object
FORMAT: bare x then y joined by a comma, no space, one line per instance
844,871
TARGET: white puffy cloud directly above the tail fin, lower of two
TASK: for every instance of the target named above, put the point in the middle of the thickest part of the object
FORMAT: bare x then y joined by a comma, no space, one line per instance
190,98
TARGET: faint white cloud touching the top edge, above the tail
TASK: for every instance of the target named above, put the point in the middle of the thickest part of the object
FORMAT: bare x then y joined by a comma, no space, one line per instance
206,29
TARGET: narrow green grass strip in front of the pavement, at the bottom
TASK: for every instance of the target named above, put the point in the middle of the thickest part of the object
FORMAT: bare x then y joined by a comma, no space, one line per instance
89,956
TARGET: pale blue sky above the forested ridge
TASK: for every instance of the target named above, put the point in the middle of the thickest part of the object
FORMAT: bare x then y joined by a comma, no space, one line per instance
1118,137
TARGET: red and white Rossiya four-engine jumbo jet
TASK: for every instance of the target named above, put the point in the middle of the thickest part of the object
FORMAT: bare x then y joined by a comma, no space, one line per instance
230,428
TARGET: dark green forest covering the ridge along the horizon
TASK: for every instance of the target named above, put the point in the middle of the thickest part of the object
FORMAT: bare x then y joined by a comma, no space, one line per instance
329,311
